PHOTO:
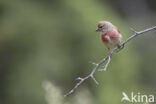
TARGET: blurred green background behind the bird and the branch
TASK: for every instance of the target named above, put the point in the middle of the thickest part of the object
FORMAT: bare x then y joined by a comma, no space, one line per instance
46,44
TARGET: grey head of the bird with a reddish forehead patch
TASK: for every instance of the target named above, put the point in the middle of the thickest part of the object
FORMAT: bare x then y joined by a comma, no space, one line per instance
104,26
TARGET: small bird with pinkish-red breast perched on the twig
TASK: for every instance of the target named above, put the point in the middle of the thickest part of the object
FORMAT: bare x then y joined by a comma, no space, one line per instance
110,35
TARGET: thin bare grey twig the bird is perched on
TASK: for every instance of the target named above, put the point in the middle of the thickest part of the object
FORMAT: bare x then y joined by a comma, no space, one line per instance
108,57
